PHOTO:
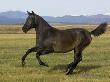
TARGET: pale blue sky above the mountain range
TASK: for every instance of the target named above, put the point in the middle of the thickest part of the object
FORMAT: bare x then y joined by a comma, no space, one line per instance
58,7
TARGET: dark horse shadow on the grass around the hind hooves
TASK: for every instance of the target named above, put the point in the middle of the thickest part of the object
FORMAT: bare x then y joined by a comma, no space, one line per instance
78,69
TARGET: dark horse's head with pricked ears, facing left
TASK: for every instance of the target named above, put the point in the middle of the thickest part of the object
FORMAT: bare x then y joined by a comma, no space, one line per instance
30,22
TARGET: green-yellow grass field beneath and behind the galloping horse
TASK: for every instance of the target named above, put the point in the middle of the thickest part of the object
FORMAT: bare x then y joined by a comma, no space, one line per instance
95,66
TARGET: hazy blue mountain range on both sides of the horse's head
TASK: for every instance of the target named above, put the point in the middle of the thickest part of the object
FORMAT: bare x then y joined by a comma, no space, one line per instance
18,17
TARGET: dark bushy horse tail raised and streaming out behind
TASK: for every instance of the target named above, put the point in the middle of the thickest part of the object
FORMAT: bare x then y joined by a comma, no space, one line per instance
99,30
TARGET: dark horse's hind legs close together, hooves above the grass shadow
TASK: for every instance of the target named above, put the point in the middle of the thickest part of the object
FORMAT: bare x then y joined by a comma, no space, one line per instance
77,59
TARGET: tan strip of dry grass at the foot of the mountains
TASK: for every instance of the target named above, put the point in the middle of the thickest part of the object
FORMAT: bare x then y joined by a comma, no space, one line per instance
17,29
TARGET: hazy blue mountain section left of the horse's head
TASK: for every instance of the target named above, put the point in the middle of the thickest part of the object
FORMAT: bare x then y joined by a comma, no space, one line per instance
12,17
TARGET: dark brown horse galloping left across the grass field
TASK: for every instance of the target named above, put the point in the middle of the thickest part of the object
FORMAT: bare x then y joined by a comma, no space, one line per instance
52,40
